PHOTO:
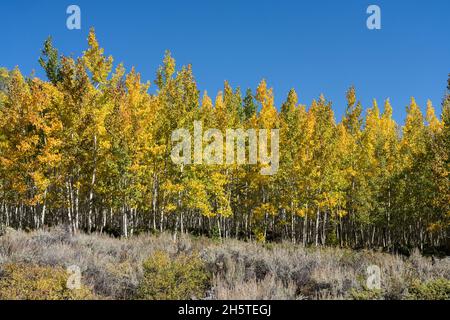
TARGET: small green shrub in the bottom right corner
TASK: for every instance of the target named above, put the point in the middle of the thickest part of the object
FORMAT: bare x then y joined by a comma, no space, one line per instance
438,289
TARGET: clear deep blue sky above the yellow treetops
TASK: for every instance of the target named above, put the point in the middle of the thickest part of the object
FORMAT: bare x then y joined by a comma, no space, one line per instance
313,46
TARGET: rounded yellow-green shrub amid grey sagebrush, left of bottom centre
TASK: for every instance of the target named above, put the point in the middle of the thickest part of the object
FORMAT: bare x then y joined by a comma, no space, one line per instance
180,278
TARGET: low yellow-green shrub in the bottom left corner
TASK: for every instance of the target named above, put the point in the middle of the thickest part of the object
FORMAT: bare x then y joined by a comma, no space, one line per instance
29,282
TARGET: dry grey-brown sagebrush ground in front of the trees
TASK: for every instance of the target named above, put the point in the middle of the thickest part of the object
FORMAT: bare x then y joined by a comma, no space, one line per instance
114,268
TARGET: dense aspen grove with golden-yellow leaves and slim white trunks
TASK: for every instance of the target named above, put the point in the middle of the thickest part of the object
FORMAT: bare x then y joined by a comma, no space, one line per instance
90,147
